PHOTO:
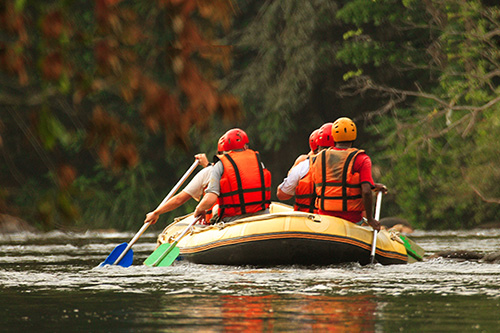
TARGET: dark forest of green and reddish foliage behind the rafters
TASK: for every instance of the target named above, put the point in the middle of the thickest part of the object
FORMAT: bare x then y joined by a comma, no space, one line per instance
104,103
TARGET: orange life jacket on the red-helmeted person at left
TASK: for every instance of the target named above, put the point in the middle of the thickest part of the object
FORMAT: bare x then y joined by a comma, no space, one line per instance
245,185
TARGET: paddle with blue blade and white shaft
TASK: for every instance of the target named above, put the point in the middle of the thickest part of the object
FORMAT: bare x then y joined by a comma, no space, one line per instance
122,254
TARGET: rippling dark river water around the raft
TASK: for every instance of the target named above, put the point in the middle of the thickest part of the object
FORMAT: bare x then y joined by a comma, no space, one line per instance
51,282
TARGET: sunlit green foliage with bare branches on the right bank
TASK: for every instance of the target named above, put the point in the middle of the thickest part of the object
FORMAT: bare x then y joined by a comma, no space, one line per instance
436,158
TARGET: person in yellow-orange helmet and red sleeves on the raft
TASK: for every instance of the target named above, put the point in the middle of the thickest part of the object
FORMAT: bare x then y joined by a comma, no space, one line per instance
342,177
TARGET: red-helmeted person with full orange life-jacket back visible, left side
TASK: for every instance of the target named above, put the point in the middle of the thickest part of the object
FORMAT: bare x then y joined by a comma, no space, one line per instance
239,182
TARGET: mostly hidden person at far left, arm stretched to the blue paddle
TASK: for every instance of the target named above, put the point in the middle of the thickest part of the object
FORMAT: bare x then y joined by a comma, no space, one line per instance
194,189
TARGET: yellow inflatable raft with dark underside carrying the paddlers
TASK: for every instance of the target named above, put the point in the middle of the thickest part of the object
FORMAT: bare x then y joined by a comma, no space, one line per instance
285,237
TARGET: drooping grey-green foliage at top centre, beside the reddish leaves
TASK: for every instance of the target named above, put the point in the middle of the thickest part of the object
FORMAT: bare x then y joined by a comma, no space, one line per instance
287,48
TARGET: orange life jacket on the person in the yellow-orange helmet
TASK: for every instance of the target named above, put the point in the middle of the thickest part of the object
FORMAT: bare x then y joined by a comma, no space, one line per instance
337,188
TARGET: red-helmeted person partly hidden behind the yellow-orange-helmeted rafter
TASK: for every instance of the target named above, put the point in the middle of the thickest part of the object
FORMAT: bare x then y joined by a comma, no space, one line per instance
299,183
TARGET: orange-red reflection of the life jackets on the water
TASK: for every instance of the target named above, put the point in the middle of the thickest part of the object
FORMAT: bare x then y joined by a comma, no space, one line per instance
300,313
